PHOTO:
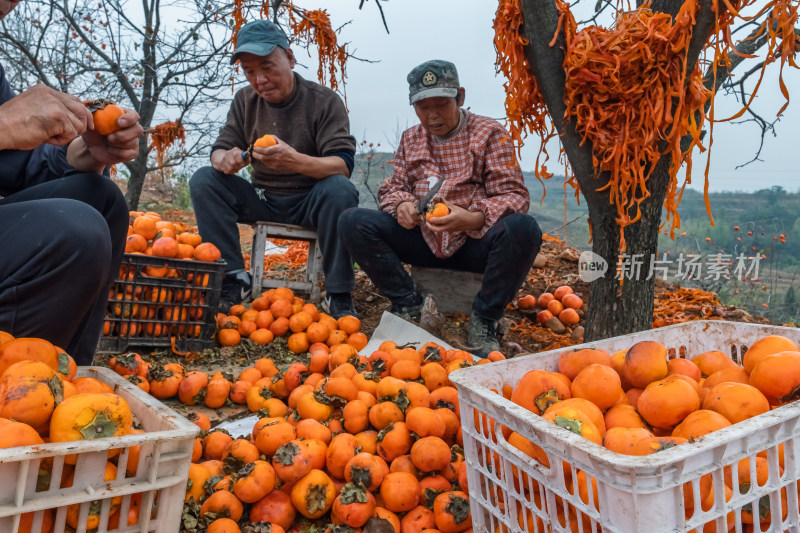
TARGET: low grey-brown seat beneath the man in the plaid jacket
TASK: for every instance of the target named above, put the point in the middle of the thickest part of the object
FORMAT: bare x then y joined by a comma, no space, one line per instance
453,290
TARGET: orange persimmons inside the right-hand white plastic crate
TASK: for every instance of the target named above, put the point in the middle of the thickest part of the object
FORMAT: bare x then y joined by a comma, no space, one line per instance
641,401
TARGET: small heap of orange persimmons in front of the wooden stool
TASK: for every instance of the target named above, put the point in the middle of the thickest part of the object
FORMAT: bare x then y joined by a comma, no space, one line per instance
278,313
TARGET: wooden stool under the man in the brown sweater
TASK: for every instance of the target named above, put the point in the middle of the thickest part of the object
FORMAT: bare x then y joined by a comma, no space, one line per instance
264,230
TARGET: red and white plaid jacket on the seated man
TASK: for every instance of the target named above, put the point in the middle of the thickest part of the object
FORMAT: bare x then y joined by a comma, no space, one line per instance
480,170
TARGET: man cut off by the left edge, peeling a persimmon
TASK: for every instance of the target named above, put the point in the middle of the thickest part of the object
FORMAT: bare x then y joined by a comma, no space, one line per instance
62,222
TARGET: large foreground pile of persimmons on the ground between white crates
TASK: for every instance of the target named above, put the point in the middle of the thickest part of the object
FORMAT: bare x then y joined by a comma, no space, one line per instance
346,438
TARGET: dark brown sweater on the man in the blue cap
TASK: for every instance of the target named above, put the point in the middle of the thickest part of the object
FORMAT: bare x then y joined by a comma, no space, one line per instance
313,121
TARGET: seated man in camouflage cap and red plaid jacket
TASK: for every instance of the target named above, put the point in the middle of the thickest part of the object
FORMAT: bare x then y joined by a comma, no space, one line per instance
486,230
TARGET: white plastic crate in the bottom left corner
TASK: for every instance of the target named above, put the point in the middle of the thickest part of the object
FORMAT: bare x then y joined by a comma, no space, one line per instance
162,472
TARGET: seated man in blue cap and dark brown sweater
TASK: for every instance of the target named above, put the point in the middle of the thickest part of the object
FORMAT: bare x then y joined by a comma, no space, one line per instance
303,179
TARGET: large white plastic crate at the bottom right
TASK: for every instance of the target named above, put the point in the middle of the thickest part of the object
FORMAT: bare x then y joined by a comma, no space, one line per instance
636,494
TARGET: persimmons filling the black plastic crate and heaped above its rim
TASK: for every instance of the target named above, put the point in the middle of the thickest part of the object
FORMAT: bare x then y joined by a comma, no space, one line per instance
149,309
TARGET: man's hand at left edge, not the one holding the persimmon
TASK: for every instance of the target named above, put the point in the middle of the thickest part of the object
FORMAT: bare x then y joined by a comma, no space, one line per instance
42,115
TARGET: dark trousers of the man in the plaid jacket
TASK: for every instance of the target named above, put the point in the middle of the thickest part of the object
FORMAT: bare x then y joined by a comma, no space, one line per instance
505,254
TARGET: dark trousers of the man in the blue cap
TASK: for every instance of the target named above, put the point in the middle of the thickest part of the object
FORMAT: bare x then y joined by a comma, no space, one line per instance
221,200
